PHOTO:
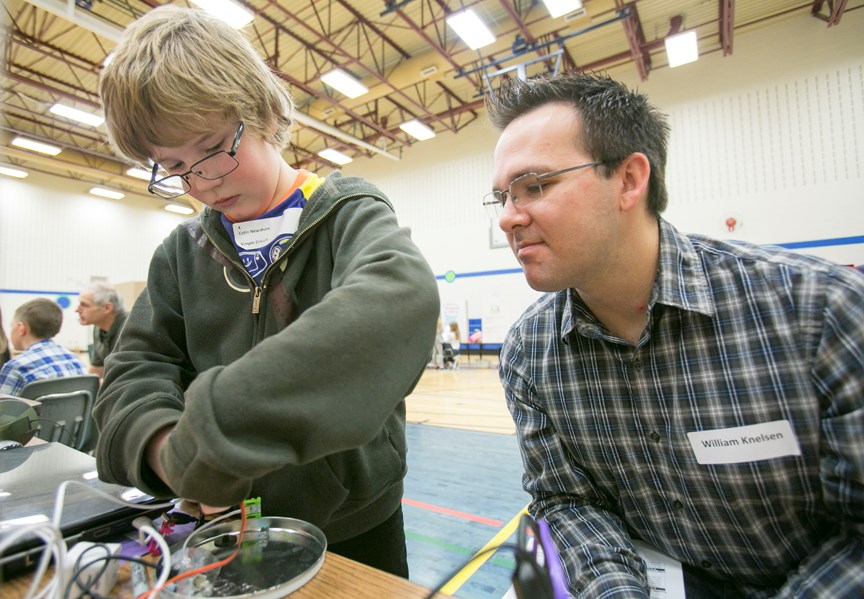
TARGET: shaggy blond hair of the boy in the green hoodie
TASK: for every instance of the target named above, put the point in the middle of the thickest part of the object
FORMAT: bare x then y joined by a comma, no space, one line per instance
180,72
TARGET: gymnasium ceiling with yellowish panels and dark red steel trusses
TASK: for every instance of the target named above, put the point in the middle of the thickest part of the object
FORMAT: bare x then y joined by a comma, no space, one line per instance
413,64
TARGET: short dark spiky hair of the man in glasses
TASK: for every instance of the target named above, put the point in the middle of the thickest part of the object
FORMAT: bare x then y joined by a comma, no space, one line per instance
616,122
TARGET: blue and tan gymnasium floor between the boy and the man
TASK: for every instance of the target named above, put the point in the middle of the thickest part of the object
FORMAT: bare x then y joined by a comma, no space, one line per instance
463,488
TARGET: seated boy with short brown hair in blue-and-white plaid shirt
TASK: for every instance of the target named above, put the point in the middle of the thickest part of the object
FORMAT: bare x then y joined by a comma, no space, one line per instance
34,325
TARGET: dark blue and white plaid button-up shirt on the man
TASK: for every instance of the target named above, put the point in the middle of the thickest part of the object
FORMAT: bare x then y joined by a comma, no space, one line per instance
736,335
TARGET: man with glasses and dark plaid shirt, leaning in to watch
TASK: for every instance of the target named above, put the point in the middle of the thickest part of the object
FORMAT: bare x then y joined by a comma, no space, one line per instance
704,396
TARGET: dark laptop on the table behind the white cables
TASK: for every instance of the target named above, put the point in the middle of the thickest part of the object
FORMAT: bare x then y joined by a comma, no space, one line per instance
29,478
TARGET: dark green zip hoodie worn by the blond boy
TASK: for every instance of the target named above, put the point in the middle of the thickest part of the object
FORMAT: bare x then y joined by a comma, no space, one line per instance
292,391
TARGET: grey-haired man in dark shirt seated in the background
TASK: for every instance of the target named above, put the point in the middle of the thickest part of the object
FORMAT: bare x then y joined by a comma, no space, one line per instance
101,305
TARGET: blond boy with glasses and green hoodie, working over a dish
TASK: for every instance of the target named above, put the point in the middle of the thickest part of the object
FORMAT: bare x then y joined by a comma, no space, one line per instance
244,368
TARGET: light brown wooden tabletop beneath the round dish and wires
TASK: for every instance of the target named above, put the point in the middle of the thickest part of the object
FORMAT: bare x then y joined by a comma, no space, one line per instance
338,578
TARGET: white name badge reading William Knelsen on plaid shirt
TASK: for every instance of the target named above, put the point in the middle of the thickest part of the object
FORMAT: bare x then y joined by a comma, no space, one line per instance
745,443
